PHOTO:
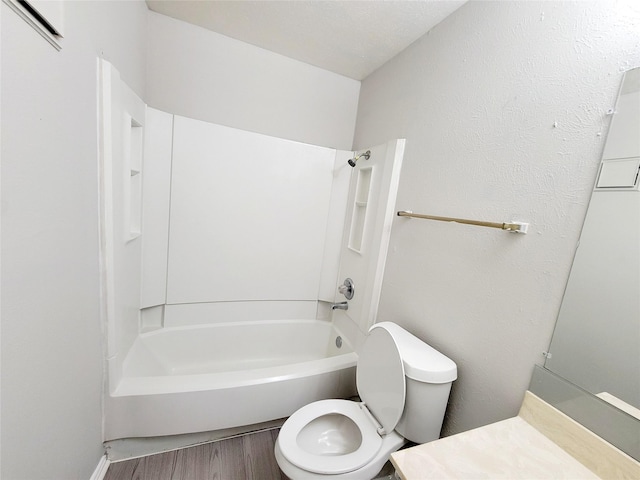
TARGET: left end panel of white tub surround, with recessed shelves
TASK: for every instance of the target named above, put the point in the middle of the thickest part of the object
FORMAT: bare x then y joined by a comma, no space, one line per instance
122,126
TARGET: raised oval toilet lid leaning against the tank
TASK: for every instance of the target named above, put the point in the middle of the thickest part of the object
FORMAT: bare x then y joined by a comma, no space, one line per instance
380,378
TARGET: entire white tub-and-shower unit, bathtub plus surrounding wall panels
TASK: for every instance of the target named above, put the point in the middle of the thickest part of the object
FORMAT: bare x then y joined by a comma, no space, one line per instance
240,239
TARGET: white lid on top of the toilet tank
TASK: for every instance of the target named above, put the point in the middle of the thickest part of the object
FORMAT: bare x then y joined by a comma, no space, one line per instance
421,361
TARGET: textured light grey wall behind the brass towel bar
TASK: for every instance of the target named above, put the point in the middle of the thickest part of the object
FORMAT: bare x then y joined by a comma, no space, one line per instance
503,106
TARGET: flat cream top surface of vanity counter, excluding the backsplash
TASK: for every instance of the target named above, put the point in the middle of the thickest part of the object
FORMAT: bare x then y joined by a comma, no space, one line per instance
511,449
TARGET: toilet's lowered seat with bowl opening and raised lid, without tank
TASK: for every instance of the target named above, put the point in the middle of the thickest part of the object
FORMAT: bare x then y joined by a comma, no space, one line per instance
380,380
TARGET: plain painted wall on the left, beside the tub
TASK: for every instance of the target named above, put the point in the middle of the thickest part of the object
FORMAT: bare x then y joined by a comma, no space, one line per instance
52,357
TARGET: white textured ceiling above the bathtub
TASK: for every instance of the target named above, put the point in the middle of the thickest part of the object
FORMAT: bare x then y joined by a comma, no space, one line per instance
352,38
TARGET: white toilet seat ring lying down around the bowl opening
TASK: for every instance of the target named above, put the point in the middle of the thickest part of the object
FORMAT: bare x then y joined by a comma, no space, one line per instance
330,463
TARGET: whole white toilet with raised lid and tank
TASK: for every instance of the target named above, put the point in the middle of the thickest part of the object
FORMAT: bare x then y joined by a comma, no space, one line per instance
404,385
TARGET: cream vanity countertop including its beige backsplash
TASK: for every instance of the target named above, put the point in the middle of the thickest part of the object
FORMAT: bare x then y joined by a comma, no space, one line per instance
540,443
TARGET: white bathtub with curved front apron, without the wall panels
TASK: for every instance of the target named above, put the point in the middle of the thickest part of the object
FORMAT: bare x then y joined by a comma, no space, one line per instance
211,377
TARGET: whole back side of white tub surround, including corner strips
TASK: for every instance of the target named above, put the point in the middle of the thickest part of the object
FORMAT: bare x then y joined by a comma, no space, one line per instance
244,235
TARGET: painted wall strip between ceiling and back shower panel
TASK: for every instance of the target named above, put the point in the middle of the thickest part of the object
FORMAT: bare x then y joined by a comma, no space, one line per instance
203,75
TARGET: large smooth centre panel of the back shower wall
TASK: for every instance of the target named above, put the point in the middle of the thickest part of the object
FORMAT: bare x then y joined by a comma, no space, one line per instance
248,215
